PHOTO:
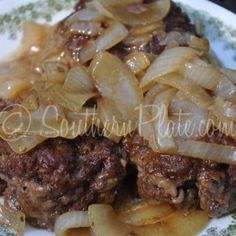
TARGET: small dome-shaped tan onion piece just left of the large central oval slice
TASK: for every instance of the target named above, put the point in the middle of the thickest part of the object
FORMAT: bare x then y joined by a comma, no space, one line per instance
78,79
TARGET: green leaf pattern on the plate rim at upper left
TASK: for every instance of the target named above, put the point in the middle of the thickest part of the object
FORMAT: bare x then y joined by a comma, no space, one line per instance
11,23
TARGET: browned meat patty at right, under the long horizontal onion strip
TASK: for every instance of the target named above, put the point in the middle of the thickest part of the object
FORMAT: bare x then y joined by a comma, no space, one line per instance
183,181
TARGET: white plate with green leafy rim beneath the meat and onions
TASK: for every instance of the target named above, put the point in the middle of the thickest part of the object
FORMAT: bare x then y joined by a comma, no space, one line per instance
217,24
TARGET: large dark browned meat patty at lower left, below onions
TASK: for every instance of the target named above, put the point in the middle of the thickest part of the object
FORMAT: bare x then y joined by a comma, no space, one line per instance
62,175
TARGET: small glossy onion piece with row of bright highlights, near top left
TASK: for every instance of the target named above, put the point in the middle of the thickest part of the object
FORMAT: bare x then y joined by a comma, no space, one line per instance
91,28
